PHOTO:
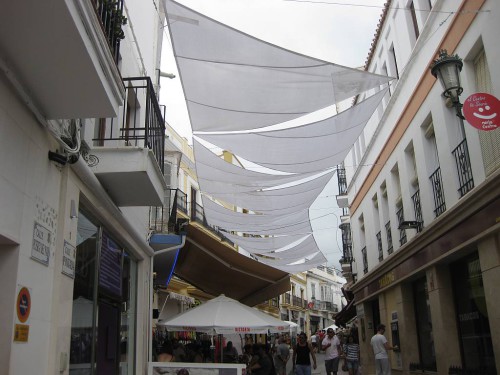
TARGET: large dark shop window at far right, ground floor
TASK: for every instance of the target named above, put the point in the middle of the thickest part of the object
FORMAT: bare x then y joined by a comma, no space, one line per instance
472,316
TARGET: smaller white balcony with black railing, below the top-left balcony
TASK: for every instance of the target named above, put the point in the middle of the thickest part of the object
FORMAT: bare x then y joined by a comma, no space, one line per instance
129,149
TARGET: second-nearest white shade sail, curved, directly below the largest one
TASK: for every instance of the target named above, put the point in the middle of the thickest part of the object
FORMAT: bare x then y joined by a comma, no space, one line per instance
307,148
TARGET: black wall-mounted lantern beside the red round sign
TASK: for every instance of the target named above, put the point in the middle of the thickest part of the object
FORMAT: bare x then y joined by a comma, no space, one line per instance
447,69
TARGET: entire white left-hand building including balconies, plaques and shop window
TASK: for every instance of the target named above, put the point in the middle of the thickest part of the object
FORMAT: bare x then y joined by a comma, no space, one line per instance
75,194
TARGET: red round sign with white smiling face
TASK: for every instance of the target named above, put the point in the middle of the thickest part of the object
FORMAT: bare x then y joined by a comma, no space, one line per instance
482,111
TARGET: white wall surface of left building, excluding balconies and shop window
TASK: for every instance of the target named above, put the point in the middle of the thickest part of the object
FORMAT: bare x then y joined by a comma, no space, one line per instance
34,189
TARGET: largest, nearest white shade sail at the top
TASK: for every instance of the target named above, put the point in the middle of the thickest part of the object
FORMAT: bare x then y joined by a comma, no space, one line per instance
233,81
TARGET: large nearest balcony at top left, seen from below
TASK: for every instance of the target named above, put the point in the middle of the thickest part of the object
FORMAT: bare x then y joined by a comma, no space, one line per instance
60,55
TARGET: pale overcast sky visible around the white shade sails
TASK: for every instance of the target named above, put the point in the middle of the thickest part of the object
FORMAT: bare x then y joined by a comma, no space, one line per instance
339,31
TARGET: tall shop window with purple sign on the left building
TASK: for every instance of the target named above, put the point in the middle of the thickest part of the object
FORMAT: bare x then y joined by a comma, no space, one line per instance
104,304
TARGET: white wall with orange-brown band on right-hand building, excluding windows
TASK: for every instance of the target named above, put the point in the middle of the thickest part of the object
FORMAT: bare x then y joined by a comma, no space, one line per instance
397,131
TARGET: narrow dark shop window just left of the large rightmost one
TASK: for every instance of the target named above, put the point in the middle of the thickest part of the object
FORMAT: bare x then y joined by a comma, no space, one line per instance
426,348
